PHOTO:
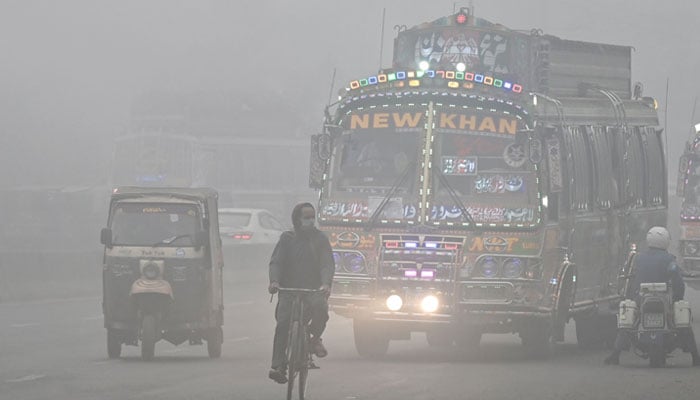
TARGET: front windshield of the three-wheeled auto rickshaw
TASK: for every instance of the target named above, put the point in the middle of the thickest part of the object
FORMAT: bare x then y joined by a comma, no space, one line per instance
154,224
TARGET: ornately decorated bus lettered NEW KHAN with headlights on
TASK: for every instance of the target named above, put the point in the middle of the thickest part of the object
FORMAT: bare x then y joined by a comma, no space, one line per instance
490,181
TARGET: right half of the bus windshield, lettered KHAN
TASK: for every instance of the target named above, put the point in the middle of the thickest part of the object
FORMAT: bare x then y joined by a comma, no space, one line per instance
488,171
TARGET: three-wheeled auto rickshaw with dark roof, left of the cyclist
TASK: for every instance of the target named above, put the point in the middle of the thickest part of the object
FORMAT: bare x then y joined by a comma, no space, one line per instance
162,269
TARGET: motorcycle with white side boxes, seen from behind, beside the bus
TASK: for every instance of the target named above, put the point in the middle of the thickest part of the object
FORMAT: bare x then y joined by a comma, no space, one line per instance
656,325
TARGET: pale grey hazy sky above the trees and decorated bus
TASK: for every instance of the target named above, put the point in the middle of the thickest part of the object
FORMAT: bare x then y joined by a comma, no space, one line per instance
70,68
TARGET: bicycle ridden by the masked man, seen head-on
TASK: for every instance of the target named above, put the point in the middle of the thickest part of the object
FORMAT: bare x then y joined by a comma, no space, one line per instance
299,358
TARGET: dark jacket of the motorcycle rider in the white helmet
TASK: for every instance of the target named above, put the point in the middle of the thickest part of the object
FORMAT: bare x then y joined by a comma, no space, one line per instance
657,266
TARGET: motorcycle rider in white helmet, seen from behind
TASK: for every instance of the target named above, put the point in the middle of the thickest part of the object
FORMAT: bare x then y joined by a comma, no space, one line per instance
656,264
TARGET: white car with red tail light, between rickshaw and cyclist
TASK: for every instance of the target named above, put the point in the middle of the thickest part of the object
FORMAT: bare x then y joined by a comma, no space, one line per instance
249,227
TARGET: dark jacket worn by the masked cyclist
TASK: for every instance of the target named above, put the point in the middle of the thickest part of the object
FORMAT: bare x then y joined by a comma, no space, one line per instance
302,260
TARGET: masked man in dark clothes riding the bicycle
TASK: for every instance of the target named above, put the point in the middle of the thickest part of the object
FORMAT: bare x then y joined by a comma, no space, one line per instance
302,258
